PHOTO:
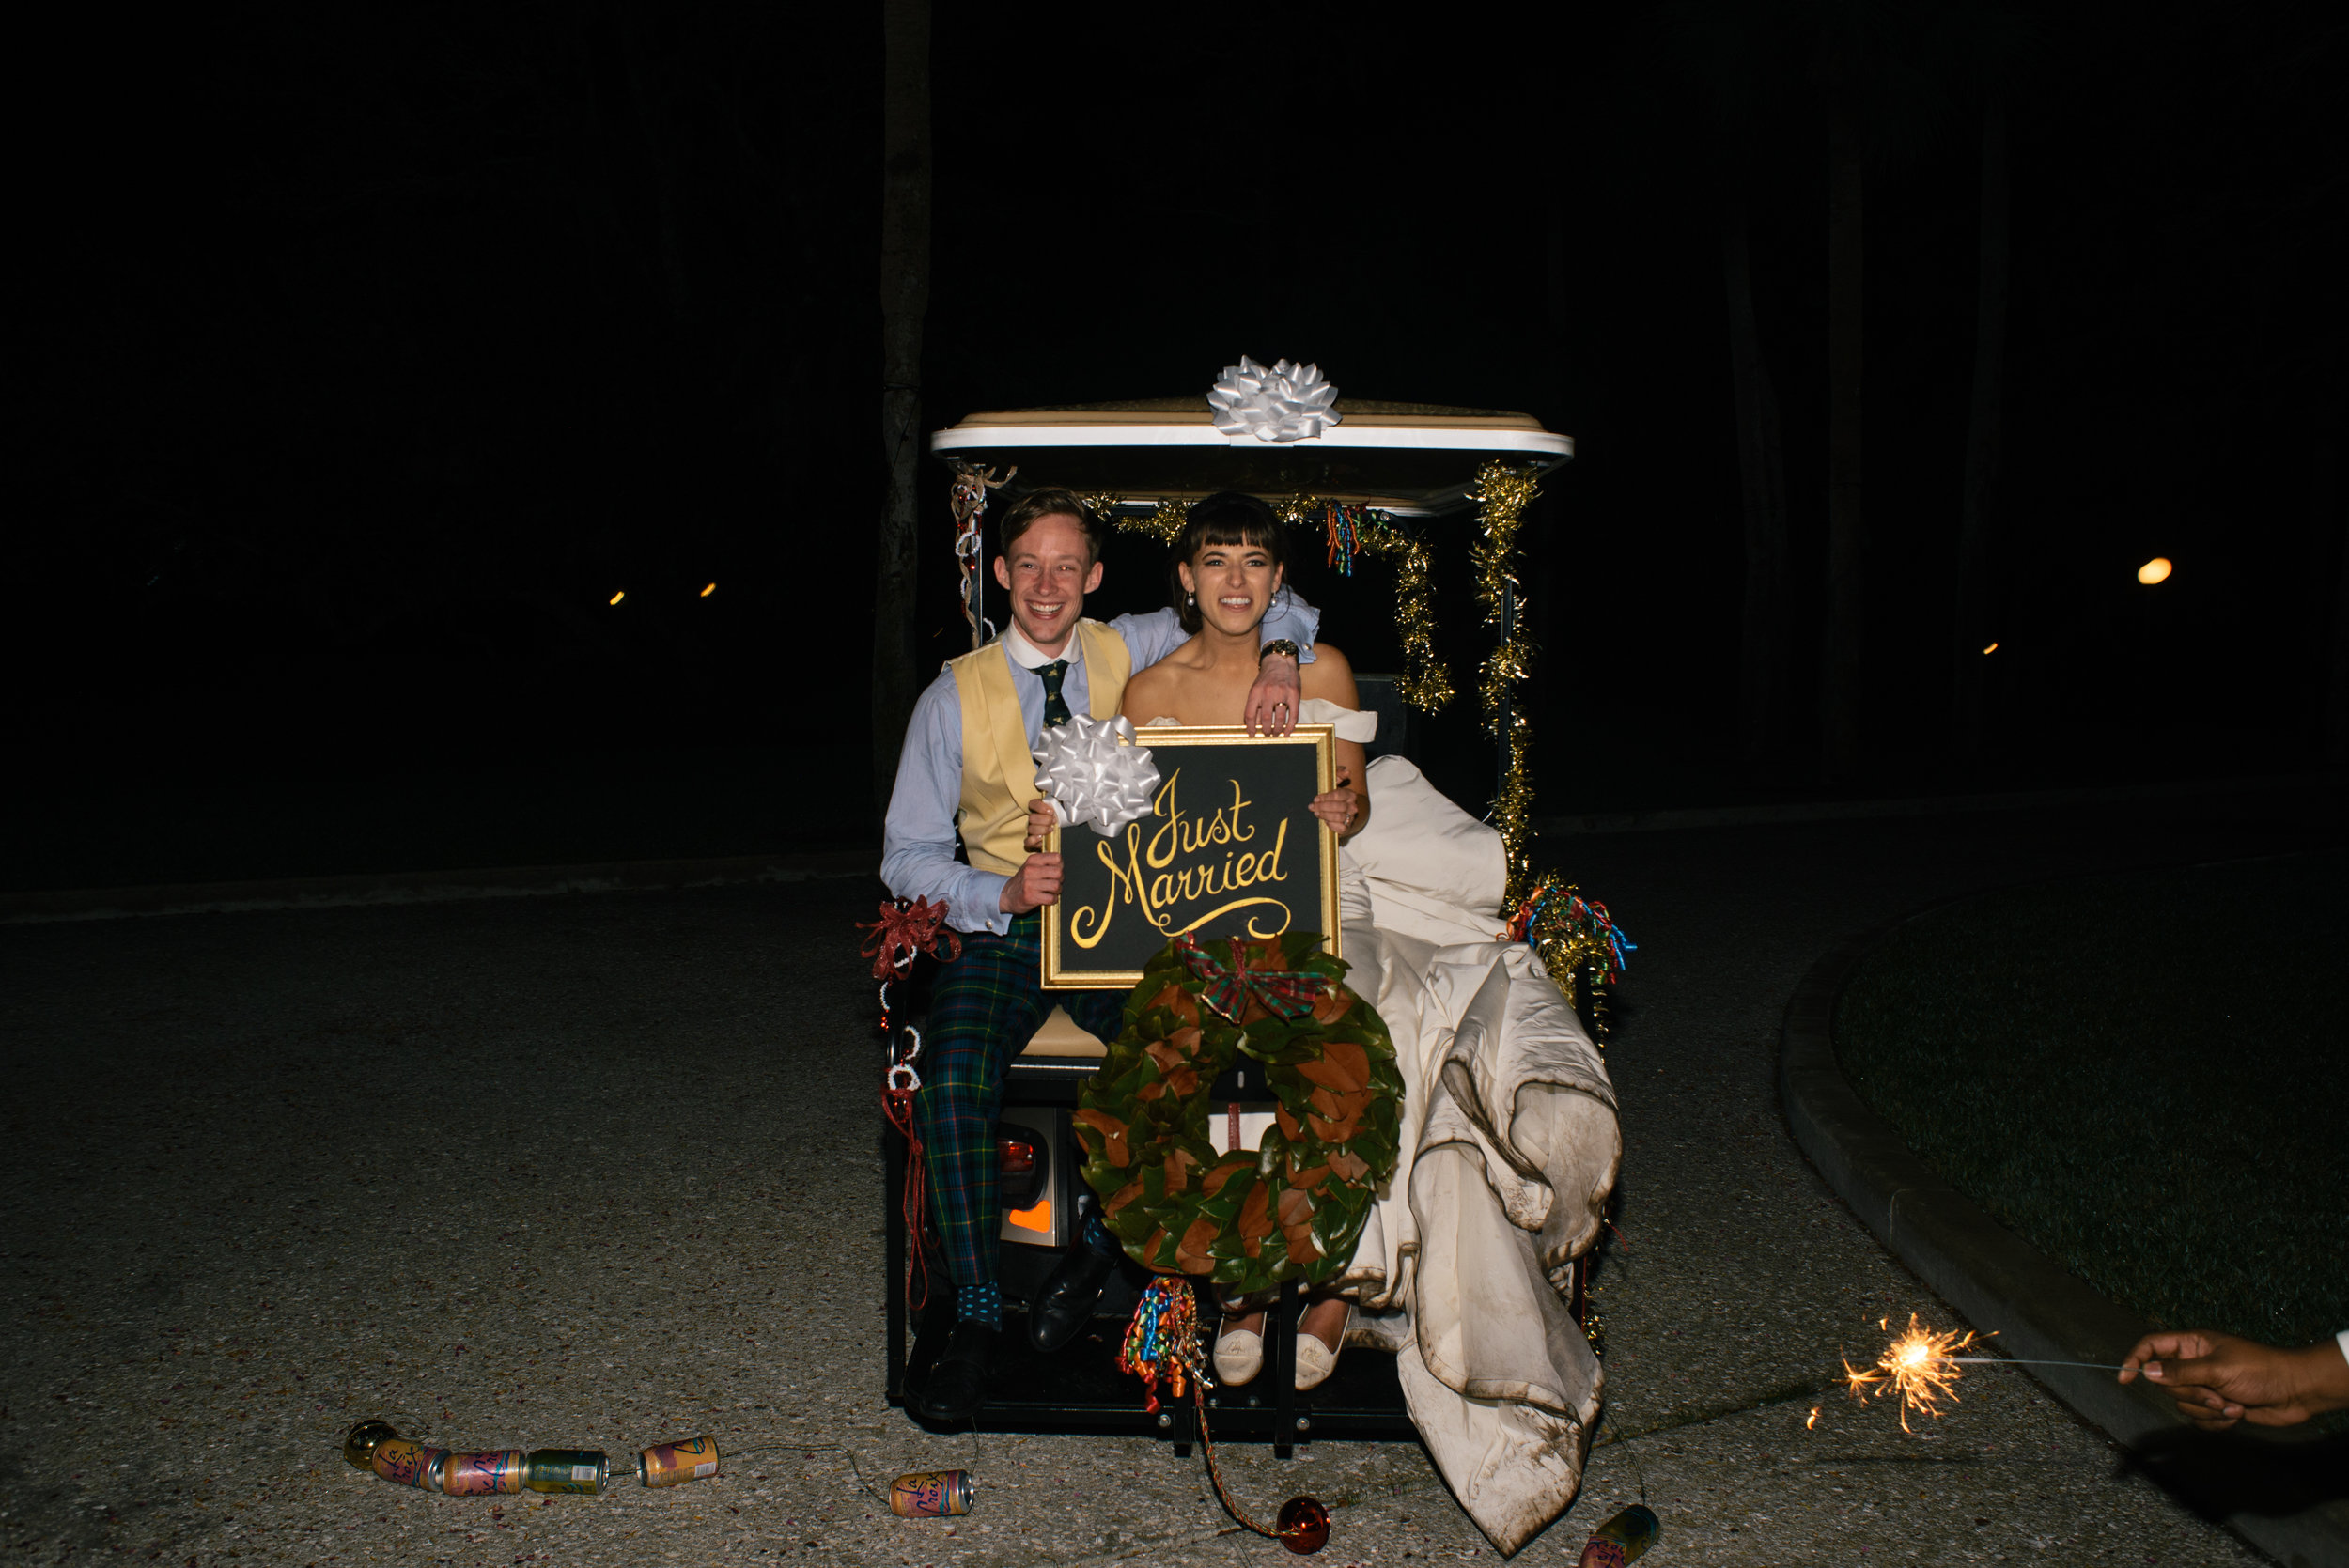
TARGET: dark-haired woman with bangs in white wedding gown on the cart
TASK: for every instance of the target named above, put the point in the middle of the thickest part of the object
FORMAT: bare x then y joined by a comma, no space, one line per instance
1509,1137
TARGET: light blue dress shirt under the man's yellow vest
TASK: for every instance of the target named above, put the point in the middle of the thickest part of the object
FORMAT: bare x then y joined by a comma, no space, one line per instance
917,842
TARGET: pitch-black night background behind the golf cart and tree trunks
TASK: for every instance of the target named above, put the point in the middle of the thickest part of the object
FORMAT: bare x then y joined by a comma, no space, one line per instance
363,356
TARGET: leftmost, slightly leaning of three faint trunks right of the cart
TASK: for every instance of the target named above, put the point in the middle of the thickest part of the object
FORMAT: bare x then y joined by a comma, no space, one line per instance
1763,663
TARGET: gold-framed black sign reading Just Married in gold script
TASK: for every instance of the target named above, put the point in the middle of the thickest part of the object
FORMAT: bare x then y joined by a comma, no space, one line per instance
1230,849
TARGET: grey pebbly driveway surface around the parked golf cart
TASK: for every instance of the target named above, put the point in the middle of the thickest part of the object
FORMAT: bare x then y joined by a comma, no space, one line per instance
600,1172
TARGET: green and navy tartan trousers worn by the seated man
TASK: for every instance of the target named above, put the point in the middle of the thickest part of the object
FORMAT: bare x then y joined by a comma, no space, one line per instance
983,1011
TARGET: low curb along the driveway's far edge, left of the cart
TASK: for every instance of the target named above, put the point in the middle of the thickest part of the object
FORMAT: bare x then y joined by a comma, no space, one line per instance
431,886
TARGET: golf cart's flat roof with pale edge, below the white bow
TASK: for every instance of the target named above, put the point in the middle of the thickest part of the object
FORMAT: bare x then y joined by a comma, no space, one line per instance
1411,459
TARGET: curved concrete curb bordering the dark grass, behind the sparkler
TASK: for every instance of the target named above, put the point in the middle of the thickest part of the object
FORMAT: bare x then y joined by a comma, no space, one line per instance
1998,1280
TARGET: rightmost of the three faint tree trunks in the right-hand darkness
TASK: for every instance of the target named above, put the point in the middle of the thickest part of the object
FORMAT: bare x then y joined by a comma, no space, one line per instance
1972,621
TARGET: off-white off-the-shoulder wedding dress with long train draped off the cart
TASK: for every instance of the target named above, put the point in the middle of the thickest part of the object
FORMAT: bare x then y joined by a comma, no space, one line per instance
1509,1154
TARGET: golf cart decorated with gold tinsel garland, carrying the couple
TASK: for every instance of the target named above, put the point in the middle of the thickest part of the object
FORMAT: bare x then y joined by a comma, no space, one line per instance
1382,480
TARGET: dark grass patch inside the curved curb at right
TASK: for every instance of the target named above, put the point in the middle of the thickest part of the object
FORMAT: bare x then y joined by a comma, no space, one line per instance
2146,1076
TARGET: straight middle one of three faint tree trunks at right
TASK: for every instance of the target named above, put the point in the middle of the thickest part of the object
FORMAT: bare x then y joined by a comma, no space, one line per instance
1840,656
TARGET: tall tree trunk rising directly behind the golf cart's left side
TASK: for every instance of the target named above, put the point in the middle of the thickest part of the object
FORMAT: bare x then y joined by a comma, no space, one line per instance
906,297
